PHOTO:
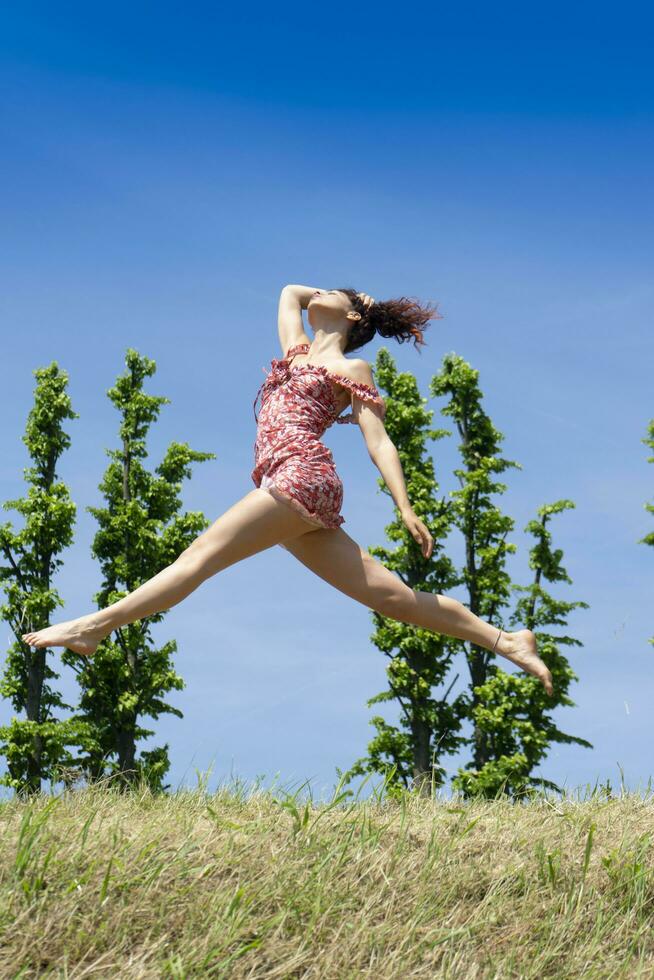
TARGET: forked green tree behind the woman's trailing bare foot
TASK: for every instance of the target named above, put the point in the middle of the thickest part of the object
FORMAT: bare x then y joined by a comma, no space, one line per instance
511,727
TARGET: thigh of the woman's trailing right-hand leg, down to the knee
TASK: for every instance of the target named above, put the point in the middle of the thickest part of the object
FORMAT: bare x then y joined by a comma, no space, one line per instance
337,558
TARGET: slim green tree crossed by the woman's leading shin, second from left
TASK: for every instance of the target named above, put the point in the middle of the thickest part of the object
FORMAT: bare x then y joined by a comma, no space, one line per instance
141,532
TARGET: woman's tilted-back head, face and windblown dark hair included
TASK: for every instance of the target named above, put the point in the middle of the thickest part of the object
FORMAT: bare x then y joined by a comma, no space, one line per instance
402,318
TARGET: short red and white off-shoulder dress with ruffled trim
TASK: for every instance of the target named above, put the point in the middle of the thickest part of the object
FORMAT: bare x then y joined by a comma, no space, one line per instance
298,404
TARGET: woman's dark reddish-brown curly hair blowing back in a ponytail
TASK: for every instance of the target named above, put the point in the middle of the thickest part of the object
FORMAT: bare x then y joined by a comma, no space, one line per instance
403,318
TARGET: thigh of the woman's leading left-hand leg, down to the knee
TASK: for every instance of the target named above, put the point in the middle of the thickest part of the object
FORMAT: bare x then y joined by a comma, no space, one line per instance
254,523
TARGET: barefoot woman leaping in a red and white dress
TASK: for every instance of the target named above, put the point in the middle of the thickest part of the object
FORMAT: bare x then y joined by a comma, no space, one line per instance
298,494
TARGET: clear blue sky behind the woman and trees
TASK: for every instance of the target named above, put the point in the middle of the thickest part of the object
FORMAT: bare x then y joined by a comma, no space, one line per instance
166,170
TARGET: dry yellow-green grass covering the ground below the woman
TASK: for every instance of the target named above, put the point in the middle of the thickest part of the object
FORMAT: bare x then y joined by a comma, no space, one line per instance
94,883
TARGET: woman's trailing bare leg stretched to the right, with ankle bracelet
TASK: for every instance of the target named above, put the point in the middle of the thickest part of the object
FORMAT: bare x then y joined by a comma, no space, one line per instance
335,557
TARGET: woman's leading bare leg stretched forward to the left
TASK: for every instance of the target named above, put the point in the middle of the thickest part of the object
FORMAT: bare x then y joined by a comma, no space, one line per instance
256,522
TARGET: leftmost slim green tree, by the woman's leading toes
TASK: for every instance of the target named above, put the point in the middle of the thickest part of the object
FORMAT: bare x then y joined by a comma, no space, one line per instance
35,745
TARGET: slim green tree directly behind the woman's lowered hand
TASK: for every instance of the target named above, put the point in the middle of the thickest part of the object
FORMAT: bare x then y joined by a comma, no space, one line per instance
419,659
